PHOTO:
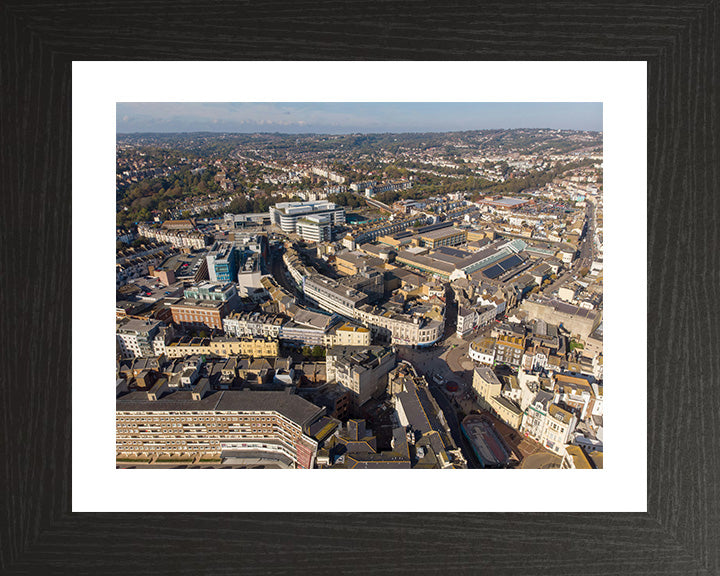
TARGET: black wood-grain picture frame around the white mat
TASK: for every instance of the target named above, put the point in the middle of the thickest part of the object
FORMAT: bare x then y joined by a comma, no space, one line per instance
680,533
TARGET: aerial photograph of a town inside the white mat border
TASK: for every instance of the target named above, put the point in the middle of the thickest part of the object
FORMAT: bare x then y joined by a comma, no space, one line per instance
359,285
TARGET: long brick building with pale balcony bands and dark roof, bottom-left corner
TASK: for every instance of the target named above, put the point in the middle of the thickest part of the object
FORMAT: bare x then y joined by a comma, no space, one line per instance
232,423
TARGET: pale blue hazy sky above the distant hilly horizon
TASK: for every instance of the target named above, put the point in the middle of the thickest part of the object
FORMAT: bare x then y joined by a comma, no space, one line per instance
353,117
